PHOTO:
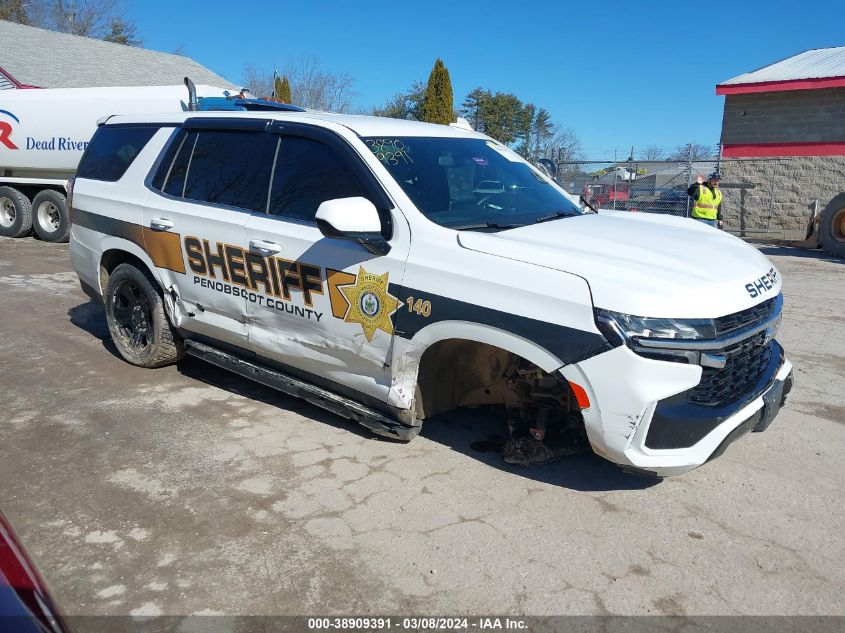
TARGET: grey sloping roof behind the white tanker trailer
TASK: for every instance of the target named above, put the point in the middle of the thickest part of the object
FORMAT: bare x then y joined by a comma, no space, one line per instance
33,57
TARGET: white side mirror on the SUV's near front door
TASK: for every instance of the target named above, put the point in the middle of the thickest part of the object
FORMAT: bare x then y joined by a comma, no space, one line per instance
353,219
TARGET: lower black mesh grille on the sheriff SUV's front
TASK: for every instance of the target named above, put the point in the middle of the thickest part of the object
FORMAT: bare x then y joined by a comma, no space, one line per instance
745,364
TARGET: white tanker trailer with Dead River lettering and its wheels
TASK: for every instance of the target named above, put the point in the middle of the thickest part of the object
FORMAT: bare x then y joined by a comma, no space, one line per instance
43,133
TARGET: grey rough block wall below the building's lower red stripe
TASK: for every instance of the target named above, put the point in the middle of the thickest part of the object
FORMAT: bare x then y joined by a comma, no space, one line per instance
747,187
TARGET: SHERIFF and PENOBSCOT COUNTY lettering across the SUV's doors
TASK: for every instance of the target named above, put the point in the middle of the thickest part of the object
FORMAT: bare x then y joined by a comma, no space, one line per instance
268,281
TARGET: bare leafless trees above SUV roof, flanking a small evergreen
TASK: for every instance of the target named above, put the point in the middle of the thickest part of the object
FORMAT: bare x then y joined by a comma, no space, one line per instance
310,85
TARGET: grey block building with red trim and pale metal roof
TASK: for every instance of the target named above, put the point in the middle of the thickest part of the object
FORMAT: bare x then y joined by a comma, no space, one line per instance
785,126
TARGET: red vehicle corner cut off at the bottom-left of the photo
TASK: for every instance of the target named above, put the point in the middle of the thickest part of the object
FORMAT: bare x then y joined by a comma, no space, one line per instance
25,603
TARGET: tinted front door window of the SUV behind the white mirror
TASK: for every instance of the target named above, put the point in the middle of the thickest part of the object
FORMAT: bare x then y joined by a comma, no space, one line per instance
308,173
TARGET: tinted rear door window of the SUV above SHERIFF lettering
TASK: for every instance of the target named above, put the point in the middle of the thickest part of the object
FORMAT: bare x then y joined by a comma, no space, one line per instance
229,167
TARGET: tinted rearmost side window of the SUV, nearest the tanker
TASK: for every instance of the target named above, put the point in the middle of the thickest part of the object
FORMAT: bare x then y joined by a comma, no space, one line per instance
111,150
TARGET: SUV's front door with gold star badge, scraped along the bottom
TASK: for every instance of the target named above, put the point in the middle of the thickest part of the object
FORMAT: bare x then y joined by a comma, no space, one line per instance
327,307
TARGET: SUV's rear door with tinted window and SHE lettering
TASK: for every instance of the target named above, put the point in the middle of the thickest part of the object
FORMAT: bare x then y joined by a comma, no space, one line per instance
215,173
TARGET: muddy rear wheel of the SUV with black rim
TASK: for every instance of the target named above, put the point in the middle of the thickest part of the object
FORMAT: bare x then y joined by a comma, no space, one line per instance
137,321
